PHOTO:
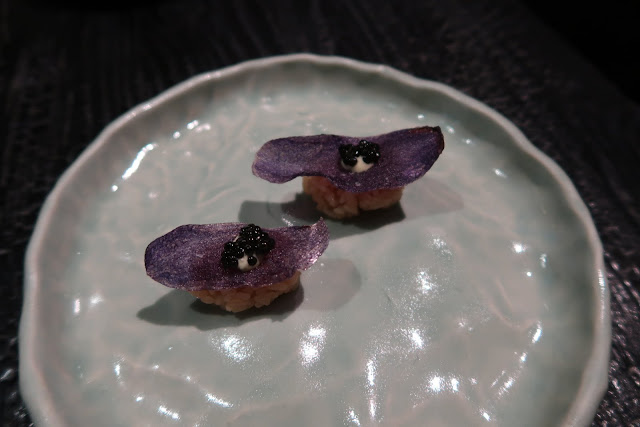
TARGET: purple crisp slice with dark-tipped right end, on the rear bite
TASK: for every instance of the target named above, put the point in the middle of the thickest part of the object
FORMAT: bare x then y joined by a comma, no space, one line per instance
405,156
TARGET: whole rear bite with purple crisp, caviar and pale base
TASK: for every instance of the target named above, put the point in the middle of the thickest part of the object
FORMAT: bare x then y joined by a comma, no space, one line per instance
346,175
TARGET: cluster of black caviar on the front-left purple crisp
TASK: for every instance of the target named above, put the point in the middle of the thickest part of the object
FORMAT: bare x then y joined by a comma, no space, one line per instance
252,242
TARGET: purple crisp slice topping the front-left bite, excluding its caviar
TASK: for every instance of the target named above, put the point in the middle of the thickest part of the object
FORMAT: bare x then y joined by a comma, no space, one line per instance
189,257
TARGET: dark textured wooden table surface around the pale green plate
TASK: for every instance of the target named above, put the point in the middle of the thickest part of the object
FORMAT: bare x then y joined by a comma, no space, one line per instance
68,70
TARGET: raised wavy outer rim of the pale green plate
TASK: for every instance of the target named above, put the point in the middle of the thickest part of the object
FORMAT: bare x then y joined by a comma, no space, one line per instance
594,379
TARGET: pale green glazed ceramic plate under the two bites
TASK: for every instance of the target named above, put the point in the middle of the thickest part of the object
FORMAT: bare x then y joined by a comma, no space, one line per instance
479,300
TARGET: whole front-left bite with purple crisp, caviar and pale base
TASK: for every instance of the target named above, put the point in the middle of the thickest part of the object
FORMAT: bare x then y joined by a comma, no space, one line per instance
236,266
